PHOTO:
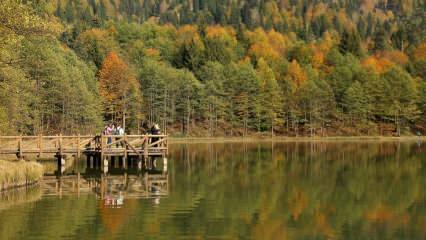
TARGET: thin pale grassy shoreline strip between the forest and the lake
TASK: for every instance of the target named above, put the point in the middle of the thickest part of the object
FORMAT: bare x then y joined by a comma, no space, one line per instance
176,140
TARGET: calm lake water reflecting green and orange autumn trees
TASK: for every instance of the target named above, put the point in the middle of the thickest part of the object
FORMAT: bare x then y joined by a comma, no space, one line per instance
352,190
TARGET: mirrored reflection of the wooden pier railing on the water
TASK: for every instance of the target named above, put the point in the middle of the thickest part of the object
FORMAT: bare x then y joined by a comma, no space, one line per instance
143,185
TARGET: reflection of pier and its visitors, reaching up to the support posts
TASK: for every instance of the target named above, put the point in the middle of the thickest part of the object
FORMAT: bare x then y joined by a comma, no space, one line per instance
112,185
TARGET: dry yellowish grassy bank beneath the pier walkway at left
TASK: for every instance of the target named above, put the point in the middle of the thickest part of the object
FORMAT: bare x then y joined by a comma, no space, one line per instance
19,173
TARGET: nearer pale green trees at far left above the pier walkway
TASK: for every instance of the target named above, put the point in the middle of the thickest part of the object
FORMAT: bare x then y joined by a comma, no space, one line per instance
44,86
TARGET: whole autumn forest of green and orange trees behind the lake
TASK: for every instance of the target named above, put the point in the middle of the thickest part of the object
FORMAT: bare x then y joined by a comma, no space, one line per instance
214,67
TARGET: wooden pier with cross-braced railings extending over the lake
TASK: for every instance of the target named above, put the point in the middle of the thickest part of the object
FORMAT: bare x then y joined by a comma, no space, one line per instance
100,147
